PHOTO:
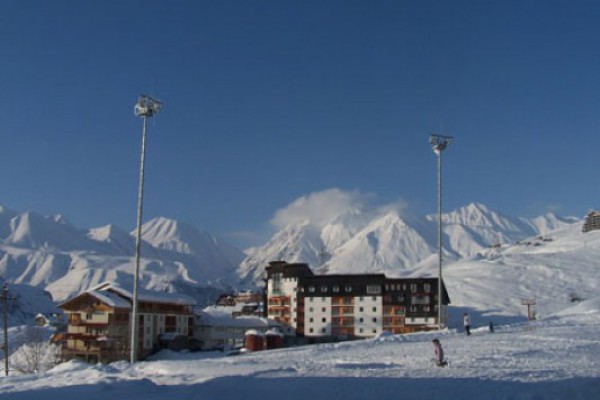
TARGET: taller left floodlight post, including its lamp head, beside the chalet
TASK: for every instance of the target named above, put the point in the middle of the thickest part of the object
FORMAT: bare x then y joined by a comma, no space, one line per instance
145,107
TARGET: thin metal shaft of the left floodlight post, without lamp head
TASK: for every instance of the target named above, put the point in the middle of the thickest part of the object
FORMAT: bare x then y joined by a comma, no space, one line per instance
138,241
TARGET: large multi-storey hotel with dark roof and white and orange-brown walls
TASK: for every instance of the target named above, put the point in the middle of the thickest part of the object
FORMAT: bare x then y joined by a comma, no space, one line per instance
341,307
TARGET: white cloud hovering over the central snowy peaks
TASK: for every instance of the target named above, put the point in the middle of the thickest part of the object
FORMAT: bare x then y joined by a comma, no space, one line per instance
322,207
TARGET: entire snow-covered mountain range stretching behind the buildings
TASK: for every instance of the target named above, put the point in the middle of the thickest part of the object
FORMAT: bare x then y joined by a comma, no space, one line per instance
50,253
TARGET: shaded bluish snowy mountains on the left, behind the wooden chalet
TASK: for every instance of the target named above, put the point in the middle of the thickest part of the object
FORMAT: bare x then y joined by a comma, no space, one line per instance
50,253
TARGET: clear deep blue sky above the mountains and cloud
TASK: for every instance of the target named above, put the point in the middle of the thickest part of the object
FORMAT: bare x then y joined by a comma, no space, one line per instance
266,101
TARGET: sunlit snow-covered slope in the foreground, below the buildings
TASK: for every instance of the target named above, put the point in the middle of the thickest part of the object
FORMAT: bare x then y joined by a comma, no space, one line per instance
554,358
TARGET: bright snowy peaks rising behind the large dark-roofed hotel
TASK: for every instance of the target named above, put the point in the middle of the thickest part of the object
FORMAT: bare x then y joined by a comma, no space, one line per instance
391,242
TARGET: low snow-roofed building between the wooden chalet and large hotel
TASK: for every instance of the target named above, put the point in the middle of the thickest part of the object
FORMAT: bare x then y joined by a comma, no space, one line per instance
217,328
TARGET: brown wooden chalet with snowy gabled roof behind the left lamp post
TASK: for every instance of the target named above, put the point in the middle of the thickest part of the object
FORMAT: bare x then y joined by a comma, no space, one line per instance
99,322
